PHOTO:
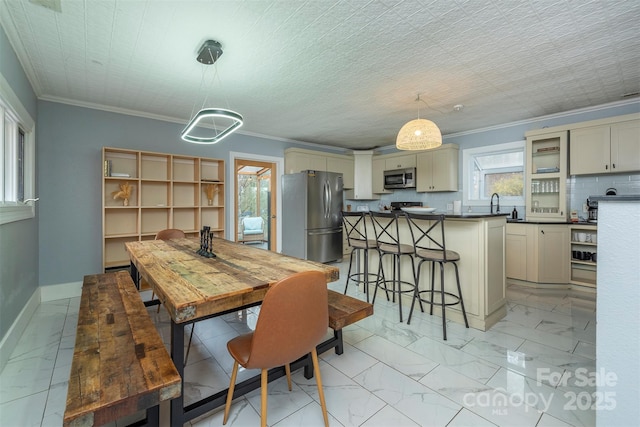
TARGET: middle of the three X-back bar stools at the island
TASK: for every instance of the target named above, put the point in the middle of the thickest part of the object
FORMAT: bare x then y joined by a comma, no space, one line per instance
386,226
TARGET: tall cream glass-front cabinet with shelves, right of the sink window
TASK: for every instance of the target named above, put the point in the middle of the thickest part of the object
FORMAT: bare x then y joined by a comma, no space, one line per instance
546,176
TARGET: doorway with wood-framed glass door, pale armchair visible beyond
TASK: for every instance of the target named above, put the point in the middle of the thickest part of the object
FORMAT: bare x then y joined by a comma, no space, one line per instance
255,208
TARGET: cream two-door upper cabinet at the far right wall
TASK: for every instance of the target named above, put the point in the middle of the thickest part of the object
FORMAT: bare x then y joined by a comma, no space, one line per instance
607,148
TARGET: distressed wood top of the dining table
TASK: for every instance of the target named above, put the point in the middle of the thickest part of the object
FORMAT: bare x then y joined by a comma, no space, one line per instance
191,286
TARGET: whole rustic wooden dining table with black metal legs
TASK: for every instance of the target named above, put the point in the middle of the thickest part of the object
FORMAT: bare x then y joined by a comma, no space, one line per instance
193,287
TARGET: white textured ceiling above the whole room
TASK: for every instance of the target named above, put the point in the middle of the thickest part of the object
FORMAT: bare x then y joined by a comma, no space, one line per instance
342,73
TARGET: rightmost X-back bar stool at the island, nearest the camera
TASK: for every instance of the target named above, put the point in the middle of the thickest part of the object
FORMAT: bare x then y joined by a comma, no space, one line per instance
429,242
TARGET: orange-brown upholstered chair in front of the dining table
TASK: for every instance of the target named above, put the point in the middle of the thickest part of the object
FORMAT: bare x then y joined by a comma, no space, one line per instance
293,319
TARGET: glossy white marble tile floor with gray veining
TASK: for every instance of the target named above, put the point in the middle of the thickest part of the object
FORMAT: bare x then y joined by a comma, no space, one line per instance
528,370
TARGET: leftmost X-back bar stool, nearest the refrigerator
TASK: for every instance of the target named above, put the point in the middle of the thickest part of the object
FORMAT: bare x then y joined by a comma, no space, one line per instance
355,228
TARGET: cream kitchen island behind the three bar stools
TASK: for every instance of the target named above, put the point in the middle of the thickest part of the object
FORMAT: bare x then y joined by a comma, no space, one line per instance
480,241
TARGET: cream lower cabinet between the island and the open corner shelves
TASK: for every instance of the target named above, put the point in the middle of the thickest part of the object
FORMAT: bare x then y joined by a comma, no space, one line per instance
538,253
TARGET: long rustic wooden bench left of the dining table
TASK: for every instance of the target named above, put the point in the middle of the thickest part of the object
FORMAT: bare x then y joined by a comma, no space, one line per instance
120,365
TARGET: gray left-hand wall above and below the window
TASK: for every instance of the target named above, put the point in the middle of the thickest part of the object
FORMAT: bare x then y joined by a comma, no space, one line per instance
18,240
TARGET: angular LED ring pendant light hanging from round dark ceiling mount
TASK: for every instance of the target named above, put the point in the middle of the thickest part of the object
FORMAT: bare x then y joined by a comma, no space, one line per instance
208,54
